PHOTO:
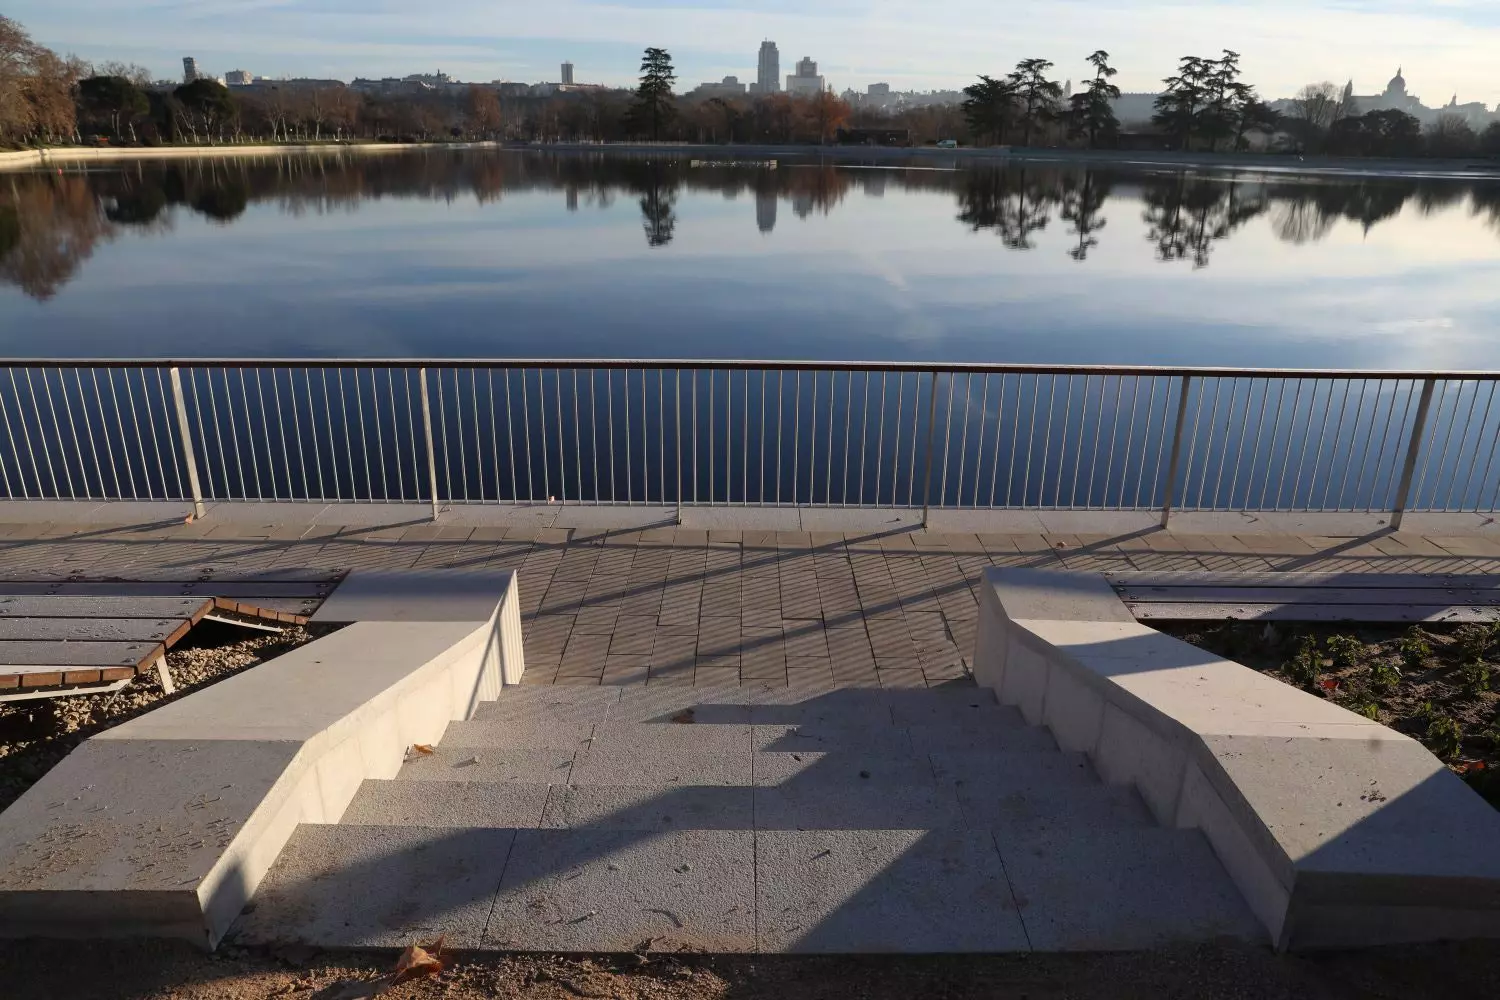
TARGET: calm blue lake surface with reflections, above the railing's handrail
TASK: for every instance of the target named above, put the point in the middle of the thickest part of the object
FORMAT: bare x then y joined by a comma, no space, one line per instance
571,256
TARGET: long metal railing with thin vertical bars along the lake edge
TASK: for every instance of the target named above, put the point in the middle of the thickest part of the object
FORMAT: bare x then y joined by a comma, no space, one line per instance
683,434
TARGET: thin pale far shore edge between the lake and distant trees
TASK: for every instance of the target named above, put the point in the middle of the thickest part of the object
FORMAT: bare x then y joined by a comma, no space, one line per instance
937,158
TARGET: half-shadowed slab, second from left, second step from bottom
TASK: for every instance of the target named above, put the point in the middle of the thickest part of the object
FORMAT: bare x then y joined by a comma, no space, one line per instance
650,809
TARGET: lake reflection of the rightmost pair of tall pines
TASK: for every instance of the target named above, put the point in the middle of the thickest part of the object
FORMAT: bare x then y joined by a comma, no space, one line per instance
1186,217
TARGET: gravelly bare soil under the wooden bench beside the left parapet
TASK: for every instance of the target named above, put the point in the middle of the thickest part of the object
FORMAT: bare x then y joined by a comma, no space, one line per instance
37,735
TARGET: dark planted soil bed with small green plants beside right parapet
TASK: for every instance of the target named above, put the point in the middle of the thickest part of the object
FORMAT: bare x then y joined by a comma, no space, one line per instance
1435,683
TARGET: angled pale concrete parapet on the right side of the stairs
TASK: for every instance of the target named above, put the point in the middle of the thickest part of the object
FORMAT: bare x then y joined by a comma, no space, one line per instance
1337,830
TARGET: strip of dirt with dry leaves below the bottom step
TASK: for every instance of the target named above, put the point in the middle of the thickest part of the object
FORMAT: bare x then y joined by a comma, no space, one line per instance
140,971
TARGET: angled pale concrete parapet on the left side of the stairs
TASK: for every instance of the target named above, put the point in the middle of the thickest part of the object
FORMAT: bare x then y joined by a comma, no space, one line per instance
166,825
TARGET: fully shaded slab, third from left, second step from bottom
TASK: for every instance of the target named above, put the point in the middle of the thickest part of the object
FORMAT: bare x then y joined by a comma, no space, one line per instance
869,804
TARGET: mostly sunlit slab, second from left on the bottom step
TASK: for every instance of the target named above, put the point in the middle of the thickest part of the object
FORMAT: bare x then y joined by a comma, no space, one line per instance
617,891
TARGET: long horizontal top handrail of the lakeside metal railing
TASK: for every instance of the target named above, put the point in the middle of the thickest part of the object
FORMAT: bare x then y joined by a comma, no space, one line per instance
739,365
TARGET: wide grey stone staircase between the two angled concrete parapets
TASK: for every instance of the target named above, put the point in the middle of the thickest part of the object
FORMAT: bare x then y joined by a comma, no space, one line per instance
617,819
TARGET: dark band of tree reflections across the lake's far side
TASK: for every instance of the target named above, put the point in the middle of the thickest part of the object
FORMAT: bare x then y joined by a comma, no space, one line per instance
52,223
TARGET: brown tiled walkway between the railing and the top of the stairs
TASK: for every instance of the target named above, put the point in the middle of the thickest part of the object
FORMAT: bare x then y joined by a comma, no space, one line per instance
722,606
